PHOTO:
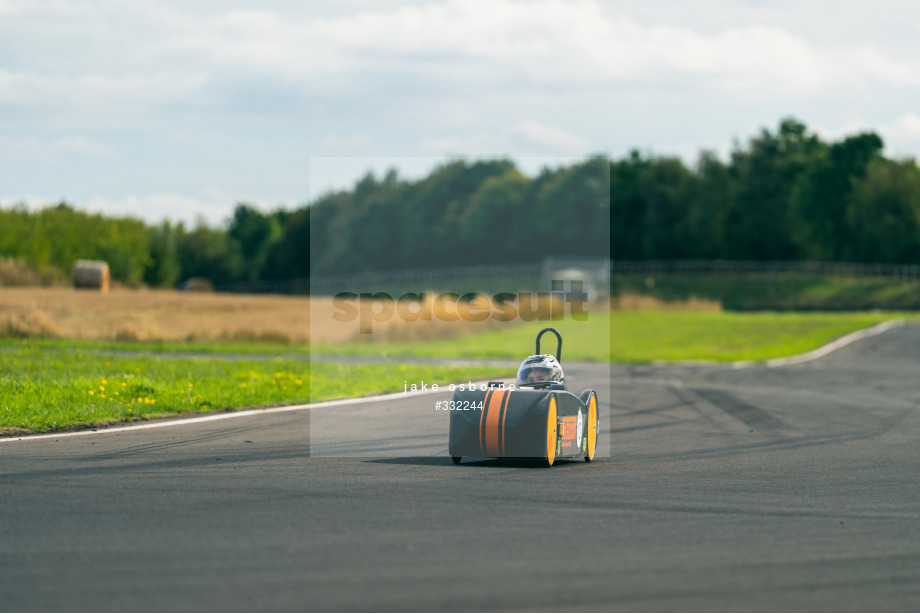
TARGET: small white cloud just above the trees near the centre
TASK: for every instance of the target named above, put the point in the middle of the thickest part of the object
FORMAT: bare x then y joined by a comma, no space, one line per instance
525,138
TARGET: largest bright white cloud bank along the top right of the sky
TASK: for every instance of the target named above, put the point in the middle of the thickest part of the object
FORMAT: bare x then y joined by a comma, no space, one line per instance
545,41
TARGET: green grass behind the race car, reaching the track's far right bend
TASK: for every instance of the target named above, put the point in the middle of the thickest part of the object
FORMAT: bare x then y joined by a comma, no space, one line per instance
645,336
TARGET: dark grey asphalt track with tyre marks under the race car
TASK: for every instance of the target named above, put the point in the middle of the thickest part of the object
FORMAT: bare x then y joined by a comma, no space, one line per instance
788,488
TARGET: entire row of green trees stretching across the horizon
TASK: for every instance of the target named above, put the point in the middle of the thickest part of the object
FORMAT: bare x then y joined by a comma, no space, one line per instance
784,195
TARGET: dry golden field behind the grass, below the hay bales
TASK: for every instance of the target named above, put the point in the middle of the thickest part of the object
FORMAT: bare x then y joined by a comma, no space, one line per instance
169,315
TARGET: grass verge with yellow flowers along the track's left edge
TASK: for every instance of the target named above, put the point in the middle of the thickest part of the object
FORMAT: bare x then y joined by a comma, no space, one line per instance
51,390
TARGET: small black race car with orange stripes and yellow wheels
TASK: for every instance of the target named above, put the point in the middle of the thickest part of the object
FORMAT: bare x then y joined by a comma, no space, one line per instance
536,417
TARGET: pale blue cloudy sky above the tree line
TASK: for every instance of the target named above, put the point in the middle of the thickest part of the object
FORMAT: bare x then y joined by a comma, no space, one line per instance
180,110
